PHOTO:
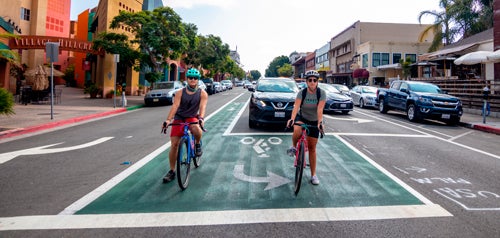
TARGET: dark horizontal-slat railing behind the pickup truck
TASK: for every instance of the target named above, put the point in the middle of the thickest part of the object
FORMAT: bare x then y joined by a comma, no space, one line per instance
470,91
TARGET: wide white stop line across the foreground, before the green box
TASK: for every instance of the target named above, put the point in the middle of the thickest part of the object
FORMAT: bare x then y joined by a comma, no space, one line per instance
172,219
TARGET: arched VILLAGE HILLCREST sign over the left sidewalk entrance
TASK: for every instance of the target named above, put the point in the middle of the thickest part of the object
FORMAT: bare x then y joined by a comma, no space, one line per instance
39,42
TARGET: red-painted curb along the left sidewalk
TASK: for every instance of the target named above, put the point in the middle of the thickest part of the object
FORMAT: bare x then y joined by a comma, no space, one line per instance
31,129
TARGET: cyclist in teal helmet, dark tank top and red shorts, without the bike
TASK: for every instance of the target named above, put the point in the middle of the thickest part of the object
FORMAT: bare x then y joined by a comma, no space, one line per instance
189,106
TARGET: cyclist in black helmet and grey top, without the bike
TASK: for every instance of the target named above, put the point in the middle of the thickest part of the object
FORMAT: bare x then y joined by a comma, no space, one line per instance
309,110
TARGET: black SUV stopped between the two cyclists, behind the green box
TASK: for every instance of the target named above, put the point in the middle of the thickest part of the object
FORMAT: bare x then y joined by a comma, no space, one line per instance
272,101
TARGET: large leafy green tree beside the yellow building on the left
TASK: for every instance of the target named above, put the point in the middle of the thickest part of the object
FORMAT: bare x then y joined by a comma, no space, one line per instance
160,35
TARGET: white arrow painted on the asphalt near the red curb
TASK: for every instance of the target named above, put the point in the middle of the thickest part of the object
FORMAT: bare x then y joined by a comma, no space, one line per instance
42,149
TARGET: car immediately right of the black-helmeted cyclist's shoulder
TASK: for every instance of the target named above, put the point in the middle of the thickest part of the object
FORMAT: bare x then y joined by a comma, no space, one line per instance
336,101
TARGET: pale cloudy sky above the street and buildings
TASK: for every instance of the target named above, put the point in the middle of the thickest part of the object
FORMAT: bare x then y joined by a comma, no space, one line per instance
261,30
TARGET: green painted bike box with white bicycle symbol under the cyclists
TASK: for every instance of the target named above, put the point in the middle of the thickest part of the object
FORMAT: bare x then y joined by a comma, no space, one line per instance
252,171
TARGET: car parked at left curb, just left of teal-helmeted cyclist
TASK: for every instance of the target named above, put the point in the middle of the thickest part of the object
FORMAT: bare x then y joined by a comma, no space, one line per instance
162,93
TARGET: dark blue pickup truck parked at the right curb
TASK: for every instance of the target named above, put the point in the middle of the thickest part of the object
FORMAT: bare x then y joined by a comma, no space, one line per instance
420,100
